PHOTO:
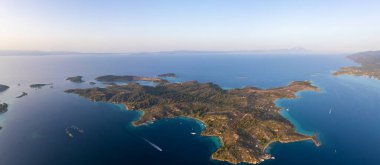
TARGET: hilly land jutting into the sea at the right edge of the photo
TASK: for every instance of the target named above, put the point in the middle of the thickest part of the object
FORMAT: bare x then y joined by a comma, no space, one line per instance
369,65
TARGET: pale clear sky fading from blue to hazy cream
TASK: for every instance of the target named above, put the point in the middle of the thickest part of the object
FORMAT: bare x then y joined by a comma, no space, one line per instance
165,25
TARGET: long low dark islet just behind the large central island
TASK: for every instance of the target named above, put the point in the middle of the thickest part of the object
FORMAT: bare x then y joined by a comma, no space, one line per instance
127,78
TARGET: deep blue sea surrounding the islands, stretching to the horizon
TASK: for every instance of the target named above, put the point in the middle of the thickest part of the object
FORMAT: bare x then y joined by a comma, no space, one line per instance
345,114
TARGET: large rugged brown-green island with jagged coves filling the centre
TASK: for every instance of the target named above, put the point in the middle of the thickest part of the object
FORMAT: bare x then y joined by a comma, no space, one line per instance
246,120
